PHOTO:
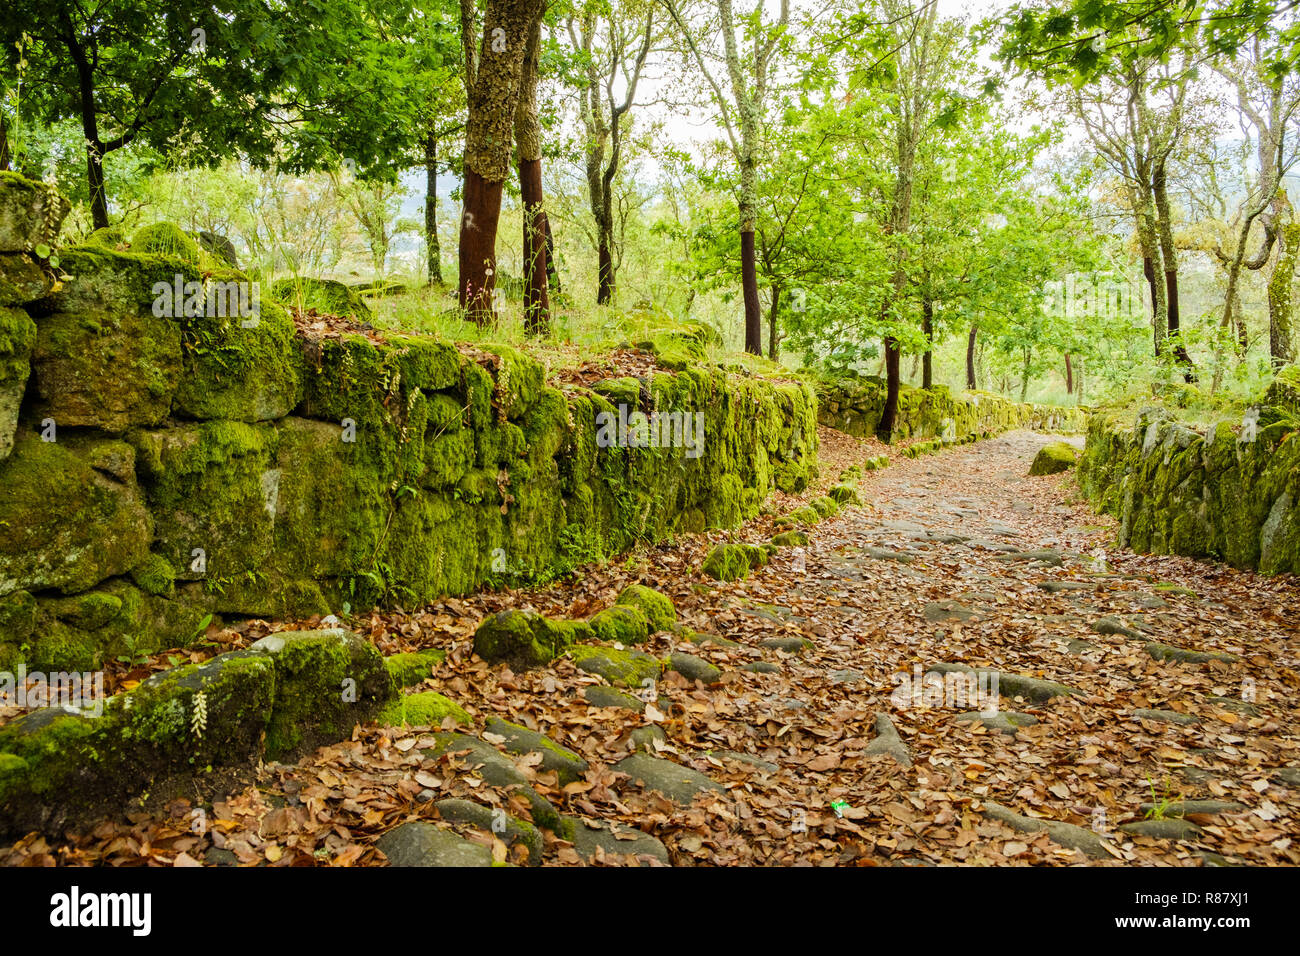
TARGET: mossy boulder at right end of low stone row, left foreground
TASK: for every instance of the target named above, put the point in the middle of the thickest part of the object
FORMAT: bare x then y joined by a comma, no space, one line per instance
327,682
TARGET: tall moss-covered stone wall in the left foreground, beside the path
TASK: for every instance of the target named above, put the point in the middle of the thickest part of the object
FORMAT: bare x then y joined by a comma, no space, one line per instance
159,469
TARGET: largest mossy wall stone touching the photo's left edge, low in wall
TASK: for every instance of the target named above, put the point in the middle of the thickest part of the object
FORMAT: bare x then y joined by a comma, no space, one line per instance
71,514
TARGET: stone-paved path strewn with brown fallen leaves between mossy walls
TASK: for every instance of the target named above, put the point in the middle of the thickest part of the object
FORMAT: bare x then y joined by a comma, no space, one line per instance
1125,681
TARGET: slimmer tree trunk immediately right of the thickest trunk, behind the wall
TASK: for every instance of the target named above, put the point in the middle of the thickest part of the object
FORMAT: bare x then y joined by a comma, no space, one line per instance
528,142
